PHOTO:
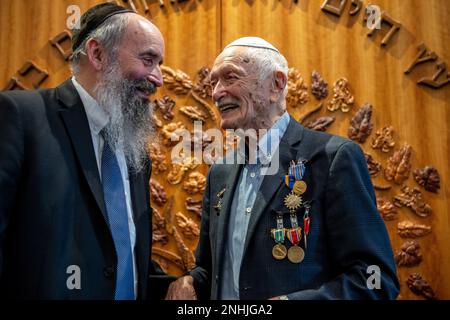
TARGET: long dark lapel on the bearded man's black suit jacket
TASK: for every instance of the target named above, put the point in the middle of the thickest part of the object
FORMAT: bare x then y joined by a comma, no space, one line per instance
77,126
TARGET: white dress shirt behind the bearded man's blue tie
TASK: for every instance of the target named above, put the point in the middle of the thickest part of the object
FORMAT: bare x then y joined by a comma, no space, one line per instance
98,119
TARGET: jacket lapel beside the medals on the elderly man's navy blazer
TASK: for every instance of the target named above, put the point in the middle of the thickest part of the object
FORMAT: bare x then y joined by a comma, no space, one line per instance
287,151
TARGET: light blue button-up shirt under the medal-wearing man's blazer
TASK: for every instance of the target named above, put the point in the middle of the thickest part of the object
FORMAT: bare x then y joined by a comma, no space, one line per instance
241,208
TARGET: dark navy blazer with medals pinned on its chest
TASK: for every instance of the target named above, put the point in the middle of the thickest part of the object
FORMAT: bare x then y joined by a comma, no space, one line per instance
347,233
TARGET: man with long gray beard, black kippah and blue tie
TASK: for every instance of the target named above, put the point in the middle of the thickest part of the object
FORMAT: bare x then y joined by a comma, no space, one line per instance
75,216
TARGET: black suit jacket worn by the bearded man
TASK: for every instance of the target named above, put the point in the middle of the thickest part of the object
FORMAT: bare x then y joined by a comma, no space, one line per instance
52,211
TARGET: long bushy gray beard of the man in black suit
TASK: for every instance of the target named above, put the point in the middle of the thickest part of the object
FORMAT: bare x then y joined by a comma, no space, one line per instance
130,123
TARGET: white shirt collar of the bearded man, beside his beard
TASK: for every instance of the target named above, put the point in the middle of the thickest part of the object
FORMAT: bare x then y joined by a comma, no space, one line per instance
97,117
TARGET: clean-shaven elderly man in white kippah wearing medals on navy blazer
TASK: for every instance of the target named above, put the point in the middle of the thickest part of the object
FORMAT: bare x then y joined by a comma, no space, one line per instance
309,229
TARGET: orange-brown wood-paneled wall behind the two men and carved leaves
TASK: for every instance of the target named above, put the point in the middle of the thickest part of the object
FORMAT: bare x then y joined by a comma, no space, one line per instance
311,39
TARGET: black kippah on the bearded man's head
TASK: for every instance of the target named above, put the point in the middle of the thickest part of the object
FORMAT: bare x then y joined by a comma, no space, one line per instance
92,19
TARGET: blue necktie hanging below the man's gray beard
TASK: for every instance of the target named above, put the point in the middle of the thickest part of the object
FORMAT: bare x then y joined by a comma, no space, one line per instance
118,222
